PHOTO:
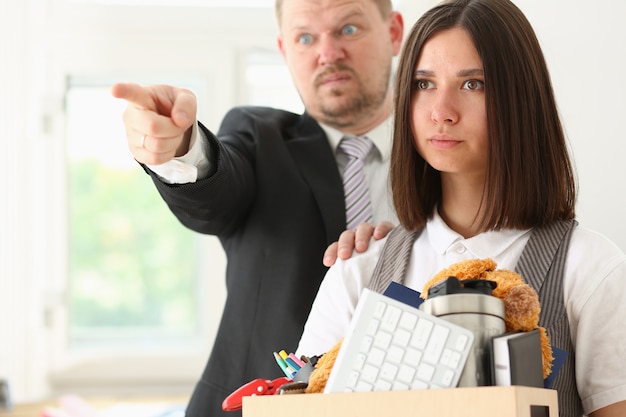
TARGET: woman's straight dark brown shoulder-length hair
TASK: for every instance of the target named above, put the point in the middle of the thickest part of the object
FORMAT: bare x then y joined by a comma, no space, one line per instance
530,179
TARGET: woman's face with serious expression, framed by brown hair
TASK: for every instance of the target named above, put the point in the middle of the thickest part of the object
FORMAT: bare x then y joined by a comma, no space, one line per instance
449,120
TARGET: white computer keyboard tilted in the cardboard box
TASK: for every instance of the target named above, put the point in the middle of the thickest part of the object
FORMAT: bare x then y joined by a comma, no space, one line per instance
392,346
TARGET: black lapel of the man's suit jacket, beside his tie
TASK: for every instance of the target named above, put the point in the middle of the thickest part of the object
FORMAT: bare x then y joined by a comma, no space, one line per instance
316,160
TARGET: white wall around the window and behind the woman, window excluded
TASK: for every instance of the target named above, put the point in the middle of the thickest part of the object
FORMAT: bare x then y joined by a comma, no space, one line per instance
41,40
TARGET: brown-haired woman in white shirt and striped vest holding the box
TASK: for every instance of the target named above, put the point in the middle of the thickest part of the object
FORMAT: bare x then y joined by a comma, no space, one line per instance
480,169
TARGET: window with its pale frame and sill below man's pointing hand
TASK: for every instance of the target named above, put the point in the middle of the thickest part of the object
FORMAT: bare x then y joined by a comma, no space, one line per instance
144,293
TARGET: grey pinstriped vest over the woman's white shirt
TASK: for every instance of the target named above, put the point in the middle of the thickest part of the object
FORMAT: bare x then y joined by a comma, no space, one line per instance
541,264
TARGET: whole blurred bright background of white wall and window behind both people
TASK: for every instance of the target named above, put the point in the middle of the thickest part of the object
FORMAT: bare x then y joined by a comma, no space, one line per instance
102,291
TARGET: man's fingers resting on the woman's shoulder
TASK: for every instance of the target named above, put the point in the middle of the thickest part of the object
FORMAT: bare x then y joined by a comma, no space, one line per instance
359,240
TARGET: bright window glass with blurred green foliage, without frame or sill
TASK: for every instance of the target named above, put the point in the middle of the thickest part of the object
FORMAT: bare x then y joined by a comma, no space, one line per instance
134,271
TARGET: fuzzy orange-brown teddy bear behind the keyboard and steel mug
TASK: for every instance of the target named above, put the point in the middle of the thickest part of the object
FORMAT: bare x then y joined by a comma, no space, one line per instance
521,311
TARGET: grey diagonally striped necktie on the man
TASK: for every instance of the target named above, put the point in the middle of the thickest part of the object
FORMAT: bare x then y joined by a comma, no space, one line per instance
358,207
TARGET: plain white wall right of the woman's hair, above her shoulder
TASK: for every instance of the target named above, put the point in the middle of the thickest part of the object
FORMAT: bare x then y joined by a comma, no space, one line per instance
585,45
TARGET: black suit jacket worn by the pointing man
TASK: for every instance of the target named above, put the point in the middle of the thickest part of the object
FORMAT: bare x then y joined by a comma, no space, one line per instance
276,202
